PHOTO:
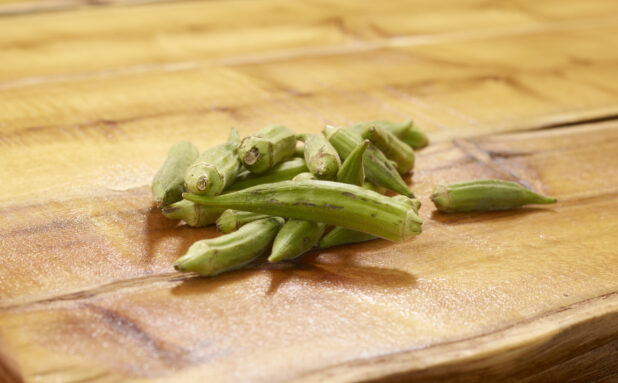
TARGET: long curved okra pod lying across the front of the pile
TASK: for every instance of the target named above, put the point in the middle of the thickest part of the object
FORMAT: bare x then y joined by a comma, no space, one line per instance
324,201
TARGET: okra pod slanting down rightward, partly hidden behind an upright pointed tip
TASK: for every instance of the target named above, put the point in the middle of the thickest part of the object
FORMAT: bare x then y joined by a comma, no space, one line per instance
378,169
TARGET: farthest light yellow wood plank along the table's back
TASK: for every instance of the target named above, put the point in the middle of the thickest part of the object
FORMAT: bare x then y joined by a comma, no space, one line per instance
110,38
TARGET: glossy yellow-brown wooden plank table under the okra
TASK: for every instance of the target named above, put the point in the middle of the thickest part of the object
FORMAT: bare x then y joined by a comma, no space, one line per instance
92,93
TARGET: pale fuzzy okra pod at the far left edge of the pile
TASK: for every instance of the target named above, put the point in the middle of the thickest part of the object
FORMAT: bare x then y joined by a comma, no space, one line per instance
168,182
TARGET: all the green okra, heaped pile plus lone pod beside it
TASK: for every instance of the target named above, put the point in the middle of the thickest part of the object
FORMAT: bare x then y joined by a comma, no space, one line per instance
289,193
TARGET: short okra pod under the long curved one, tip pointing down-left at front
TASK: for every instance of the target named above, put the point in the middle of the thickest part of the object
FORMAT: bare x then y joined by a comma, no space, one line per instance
295,238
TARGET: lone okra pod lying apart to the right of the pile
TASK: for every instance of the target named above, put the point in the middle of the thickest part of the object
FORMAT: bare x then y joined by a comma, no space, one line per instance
484,195
